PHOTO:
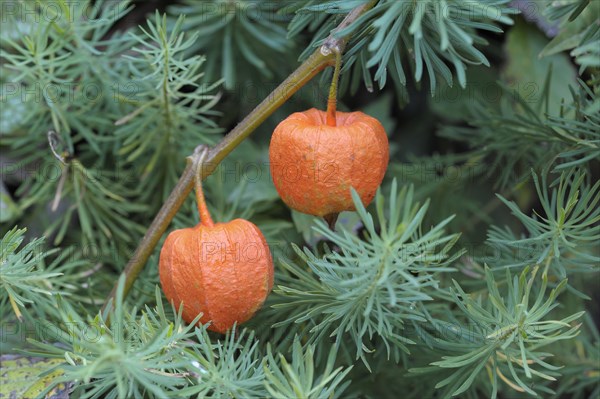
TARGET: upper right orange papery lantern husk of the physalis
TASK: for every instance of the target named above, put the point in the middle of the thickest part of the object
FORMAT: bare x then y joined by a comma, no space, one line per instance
313,165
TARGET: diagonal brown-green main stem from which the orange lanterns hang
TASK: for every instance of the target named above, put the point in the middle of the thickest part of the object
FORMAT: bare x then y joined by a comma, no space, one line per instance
320,59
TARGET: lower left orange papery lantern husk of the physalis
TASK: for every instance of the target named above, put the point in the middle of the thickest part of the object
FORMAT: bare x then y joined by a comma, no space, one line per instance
224,271
